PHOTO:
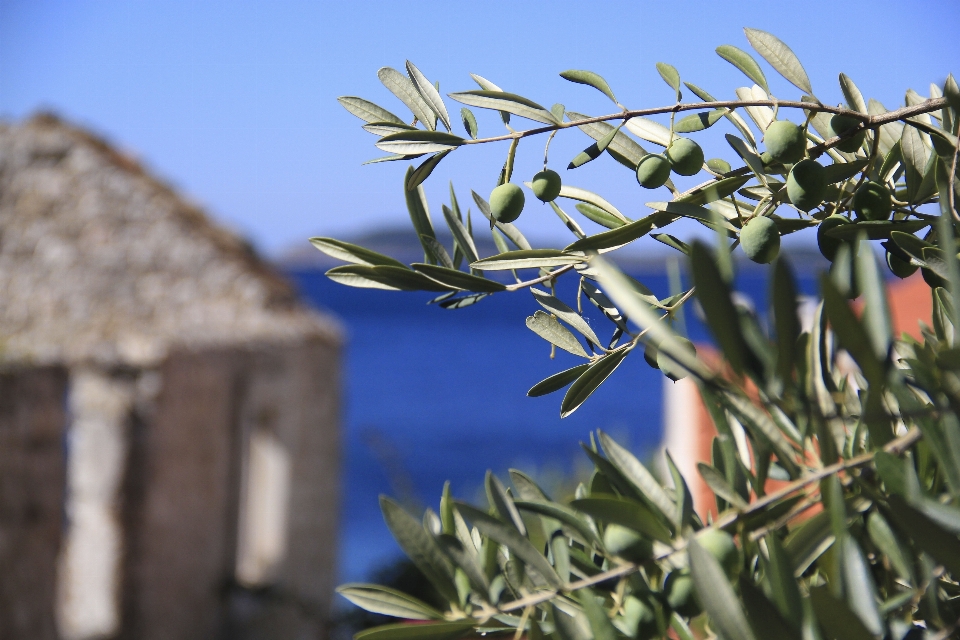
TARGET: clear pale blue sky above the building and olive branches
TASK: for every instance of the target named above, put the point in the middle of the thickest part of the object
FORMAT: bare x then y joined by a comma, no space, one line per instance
235,102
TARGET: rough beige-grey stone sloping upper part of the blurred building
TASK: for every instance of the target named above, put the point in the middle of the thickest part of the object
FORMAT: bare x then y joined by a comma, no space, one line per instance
100,261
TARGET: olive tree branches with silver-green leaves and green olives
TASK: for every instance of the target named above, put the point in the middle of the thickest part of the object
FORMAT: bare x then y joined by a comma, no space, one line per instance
860,539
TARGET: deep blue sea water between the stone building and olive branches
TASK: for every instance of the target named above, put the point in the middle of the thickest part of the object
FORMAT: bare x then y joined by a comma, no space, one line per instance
434,395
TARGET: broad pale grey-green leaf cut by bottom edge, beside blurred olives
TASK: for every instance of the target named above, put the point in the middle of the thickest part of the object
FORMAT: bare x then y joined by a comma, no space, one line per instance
717,595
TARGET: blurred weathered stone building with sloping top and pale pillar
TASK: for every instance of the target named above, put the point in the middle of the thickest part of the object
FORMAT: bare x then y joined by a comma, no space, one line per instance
168,411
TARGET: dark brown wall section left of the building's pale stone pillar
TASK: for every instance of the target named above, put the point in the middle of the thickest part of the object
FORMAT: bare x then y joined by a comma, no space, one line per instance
32,417
